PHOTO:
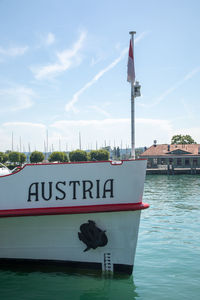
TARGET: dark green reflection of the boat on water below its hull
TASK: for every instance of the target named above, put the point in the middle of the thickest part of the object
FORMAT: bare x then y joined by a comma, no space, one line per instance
65,285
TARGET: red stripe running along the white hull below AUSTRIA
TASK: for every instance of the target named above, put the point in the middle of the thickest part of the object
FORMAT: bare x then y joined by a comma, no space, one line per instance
73,209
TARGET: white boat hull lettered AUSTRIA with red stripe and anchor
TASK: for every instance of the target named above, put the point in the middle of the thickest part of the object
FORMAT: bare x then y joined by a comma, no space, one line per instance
83,214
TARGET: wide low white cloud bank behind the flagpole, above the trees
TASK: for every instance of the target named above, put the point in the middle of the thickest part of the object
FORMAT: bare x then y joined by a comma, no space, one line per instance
113,131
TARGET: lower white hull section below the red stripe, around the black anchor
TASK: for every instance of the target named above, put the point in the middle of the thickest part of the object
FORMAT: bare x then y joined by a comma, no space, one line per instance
56,238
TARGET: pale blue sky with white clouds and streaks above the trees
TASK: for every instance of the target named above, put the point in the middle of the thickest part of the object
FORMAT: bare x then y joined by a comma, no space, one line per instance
63,73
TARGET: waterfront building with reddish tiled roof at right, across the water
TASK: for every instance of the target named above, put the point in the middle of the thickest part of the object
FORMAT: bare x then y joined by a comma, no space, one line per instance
176,155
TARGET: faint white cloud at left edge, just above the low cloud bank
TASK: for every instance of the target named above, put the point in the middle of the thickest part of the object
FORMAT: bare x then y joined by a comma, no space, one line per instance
15,99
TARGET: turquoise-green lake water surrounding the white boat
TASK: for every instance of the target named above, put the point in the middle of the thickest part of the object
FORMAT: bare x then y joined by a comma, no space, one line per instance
167,259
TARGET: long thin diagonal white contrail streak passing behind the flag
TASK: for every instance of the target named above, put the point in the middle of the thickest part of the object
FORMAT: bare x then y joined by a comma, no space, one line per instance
70,105
